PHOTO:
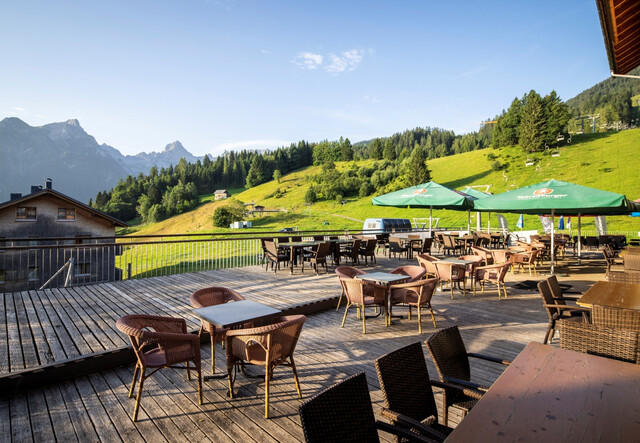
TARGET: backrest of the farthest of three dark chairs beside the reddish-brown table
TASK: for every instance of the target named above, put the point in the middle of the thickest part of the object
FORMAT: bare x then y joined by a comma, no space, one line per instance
449,354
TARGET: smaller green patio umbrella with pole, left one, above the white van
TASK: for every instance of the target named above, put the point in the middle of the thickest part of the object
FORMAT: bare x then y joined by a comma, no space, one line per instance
427,195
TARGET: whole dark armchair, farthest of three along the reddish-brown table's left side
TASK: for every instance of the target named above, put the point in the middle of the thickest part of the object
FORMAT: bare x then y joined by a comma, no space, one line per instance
451,359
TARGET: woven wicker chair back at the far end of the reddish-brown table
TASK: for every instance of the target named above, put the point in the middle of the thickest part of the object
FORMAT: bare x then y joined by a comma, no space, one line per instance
593,339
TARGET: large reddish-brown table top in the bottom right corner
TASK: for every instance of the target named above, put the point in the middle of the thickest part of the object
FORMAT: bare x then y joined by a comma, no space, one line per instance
554,394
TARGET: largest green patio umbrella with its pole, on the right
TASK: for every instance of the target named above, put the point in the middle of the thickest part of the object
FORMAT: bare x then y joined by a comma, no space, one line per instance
557,198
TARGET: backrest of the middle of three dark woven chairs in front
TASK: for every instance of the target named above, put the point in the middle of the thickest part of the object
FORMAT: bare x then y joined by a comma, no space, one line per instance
405,384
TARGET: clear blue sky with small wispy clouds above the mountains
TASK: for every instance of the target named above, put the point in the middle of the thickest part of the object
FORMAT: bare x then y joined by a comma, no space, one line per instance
225,74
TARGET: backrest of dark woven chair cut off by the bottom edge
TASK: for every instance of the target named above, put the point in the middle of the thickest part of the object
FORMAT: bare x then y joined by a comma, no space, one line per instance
340,413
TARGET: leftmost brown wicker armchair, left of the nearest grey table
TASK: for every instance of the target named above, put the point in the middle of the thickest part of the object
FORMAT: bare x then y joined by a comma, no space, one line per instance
160,342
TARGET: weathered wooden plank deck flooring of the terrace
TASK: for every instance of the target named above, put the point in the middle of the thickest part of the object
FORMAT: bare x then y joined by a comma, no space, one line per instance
44,328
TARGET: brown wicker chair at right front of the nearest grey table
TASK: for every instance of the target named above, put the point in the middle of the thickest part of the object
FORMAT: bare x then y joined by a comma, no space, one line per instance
266,346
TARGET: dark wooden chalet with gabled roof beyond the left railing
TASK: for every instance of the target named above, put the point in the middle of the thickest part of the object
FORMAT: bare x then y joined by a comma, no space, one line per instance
46,233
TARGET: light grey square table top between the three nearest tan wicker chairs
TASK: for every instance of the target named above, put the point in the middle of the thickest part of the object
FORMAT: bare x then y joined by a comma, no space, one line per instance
235,313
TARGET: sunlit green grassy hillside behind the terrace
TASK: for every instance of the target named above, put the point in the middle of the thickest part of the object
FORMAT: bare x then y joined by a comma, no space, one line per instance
605,161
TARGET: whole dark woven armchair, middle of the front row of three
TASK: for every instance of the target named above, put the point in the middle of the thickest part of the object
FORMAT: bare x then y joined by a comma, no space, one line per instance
408,391
